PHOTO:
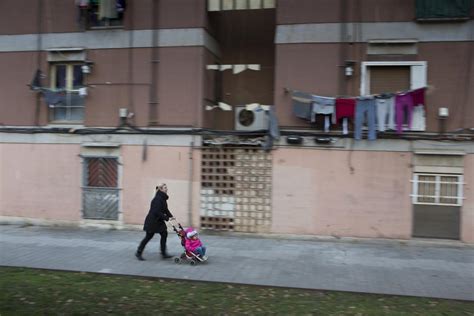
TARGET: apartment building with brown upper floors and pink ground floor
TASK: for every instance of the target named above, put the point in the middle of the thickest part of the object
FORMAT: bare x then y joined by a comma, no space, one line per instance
104,99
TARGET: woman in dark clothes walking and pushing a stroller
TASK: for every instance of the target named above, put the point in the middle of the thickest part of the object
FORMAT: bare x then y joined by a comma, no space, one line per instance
155,222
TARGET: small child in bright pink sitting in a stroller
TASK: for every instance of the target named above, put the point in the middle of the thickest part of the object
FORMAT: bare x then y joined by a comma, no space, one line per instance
194,251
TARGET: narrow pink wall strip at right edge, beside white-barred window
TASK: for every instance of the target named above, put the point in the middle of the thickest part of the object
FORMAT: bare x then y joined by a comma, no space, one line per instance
467,211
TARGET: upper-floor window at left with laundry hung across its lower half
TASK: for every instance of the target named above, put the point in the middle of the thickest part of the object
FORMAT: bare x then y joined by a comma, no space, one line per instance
67,79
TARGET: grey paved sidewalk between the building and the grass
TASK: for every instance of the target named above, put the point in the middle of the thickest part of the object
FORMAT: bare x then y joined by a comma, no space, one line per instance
386,267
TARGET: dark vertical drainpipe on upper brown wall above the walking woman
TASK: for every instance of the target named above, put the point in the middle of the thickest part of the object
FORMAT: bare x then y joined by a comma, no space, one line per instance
153,103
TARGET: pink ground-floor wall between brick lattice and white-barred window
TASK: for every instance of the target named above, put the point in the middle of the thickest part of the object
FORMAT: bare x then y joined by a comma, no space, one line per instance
315,192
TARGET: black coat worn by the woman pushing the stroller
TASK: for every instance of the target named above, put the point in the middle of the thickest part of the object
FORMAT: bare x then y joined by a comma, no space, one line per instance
158,214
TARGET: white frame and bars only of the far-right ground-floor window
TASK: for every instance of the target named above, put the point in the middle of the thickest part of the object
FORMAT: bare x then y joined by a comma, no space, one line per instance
459,196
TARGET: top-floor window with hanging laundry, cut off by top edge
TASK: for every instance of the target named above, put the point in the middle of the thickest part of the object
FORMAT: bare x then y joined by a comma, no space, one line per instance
101,13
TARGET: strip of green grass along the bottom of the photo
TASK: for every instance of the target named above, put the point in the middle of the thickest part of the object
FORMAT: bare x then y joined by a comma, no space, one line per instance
44,292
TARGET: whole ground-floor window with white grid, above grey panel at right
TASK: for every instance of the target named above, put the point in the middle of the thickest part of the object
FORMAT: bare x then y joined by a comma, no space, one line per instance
437,189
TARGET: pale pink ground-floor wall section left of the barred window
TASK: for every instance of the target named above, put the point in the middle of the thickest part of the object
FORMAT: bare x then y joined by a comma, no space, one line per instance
40,181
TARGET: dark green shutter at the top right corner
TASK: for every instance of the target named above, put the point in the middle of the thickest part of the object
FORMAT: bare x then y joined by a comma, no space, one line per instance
443,9
